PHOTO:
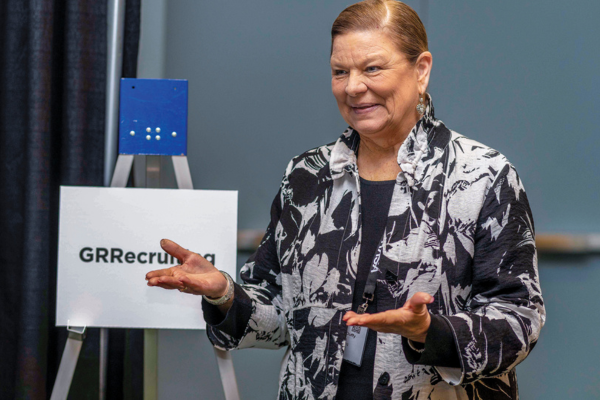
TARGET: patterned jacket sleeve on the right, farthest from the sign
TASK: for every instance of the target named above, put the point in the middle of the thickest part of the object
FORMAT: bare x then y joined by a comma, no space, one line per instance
502,319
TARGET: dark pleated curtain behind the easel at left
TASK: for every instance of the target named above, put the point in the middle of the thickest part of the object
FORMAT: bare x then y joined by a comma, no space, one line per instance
52,110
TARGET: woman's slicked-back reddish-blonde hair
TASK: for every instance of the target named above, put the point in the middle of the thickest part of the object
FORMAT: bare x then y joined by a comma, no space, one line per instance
400,21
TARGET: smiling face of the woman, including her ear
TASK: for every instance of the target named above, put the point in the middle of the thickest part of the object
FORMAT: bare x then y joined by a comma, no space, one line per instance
376,87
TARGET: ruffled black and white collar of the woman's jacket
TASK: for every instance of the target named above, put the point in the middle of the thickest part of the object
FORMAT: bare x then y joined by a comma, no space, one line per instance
410,155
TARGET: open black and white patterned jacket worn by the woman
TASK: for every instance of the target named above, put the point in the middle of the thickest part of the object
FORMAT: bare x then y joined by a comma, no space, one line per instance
468,240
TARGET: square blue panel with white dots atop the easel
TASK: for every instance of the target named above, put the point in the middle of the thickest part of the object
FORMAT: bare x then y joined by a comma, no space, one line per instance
153,117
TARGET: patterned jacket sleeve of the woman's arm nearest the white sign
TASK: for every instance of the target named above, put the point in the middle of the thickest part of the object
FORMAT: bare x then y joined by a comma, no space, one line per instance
259,299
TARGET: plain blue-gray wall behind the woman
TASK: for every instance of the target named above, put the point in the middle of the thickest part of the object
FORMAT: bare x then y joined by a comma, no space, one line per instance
519,76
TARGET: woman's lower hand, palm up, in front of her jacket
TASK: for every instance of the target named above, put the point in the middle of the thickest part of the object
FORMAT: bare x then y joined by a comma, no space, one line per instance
411,321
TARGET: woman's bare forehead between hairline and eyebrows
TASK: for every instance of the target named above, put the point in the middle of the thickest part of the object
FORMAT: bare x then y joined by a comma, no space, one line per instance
361,46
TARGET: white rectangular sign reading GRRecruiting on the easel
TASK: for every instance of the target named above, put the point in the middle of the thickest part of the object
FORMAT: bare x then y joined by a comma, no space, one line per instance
110,238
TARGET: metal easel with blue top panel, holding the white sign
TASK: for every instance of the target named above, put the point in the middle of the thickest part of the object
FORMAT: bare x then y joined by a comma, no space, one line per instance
152,150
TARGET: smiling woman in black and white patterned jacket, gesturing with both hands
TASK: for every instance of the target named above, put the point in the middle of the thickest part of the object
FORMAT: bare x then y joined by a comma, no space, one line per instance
427,231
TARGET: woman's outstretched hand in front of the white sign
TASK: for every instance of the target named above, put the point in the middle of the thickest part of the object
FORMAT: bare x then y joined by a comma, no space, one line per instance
195,275
